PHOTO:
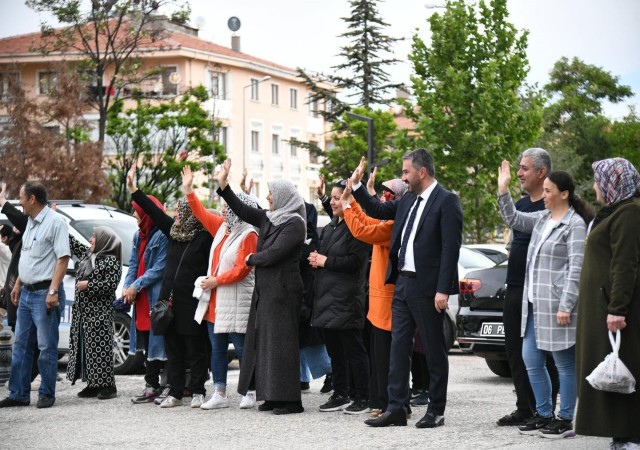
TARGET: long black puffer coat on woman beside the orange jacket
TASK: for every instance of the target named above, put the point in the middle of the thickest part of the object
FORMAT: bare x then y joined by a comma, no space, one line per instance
340,284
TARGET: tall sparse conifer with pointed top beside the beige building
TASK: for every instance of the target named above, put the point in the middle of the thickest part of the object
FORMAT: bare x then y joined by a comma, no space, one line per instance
362,75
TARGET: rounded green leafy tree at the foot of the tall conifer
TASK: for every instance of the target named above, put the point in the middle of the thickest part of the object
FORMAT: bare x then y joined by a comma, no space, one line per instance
349,136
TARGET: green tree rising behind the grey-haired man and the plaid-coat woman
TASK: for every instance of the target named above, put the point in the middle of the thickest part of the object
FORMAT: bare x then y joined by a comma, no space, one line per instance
575,128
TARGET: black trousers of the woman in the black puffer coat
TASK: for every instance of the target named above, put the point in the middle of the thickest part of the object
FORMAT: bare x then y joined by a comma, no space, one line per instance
348,359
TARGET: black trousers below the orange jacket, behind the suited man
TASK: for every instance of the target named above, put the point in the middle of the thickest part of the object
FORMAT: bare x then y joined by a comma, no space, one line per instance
380,349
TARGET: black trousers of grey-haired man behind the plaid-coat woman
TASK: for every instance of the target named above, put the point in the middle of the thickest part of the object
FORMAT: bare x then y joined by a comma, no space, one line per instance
512,320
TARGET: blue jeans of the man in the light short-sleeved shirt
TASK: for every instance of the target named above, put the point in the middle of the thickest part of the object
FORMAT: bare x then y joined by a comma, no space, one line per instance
35,325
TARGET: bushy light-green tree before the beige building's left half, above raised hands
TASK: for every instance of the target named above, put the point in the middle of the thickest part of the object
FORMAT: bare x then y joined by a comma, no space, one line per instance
162,138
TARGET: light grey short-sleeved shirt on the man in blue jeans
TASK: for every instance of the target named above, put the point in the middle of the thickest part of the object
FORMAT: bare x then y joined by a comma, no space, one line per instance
45,240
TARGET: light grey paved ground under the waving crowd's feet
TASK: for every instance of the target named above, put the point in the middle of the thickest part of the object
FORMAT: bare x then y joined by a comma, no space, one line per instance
476,399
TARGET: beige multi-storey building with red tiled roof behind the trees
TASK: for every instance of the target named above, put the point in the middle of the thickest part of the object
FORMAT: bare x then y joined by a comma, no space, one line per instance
262,105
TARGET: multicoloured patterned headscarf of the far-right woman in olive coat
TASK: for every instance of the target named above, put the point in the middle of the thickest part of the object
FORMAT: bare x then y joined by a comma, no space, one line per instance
617,179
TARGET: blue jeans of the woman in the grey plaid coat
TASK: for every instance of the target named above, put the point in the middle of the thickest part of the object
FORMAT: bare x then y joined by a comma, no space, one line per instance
535,360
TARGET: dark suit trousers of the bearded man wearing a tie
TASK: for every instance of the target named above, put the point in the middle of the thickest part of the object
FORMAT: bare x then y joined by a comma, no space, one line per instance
412,310
